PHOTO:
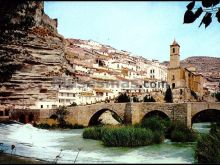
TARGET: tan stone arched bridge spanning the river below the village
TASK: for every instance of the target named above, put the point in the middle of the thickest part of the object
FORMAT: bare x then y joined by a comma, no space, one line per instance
129,112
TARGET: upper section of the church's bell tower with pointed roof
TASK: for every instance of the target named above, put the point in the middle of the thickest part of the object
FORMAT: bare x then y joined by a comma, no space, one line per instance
174,55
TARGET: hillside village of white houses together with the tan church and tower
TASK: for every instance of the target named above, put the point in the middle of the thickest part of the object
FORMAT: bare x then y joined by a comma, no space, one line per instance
102,73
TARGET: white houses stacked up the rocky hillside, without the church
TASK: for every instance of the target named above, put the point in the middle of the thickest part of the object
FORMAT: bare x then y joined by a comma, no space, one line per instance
102,74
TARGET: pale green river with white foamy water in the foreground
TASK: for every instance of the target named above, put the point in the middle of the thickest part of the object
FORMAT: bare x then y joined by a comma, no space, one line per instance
47,144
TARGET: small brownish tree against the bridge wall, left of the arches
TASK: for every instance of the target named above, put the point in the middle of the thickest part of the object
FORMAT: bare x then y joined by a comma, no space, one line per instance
61,114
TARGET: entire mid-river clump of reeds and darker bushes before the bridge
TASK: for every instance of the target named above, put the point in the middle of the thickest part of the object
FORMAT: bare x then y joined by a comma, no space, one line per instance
151,130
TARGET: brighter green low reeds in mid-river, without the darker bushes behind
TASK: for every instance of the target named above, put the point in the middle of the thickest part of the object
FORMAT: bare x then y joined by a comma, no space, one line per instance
120,136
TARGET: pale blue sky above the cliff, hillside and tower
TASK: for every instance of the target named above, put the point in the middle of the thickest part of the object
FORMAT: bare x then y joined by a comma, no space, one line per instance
143,28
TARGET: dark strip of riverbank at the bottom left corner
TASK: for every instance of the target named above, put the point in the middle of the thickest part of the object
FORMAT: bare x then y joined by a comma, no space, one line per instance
16,159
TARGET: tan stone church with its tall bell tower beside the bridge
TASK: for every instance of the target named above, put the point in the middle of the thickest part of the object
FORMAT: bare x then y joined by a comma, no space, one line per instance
186,84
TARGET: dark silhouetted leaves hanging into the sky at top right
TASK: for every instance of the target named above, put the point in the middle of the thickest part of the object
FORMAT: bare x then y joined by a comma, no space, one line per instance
209,7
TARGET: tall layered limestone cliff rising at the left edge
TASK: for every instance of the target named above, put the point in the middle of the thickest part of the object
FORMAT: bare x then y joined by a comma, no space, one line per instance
31,53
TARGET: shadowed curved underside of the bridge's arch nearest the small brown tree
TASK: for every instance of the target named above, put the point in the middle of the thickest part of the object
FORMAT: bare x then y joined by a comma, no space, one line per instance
94,120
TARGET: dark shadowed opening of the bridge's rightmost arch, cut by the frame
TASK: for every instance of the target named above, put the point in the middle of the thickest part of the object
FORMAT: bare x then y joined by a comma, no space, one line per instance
206,115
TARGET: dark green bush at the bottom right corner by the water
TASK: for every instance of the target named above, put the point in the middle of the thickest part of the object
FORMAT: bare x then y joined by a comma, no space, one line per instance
208,146
